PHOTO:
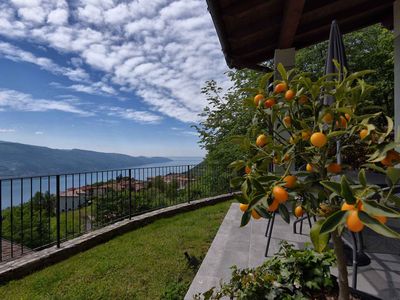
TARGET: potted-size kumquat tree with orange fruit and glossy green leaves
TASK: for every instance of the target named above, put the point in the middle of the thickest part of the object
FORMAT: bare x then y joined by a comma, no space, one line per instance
292,129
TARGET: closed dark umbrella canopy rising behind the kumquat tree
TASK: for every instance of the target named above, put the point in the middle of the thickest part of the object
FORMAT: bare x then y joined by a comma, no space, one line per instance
335,51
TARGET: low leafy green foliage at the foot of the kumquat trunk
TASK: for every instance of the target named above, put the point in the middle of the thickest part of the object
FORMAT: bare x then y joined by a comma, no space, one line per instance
289,274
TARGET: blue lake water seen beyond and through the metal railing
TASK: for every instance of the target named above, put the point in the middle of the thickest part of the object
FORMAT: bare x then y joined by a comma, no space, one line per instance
18,191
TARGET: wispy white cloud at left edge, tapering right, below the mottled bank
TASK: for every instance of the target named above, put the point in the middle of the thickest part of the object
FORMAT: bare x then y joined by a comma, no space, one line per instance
14,100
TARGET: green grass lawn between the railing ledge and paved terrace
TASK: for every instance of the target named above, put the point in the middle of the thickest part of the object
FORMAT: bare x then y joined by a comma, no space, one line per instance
142,264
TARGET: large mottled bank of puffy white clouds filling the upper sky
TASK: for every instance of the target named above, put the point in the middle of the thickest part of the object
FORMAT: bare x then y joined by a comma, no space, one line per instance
162,50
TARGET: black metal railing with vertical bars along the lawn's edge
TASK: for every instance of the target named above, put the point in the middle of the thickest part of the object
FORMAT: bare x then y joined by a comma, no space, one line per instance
42,211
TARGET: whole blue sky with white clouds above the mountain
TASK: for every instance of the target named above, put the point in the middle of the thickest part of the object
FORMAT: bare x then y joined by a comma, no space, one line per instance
107,75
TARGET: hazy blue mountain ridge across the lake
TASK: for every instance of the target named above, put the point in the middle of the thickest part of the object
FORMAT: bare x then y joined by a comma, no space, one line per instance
28,160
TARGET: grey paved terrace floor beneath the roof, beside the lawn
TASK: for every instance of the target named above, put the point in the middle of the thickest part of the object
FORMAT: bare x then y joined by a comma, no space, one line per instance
245,247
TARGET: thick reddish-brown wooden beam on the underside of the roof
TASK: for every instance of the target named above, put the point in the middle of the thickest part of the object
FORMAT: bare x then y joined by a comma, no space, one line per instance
292,12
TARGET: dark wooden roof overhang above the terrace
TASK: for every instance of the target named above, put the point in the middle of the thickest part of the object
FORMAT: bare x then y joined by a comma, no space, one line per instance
250,30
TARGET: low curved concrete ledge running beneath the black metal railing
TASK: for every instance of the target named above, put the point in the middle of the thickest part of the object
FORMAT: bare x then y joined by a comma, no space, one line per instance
38,260
